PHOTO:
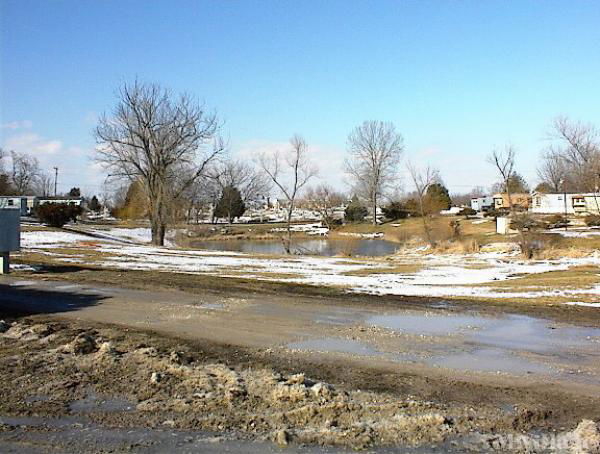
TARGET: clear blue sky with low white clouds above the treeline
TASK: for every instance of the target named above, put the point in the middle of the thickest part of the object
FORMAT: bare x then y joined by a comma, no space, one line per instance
457,78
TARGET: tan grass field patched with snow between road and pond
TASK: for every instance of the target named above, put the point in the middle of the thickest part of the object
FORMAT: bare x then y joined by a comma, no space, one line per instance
496,273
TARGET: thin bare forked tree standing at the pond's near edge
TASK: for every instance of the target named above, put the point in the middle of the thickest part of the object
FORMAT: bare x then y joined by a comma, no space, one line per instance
290,171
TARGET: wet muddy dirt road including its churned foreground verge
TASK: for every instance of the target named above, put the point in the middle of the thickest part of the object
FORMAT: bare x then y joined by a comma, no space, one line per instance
99,359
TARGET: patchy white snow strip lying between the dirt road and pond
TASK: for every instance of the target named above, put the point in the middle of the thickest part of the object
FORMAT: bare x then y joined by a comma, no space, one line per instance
438,276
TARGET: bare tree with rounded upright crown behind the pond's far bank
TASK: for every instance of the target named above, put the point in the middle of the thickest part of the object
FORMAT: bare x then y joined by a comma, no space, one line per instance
375,150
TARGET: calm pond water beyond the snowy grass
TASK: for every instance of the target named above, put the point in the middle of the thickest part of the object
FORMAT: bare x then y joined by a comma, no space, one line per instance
324,247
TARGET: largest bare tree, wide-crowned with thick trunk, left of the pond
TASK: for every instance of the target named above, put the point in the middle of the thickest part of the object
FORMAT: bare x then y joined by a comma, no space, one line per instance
163,141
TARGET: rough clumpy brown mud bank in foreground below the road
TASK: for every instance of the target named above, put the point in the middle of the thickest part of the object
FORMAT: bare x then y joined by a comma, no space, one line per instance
73,375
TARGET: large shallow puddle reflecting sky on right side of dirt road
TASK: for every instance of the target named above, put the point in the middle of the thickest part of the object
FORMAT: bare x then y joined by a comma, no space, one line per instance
494,344
